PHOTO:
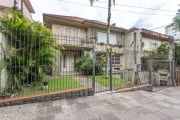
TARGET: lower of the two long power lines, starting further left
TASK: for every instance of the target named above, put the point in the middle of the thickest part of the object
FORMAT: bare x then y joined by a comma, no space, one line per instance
113,9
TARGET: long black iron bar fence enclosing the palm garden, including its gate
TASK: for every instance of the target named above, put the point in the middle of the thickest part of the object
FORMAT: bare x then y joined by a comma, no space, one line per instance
32,65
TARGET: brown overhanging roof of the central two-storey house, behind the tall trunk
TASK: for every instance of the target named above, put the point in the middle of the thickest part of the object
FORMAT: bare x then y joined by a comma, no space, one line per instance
49,18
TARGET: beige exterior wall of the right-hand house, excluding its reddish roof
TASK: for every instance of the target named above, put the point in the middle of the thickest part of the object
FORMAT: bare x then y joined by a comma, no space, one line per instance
129,47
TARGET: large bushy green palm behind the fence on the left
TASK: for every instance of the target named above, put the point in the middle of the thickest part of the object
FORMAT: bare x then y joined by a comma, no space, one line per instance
31,52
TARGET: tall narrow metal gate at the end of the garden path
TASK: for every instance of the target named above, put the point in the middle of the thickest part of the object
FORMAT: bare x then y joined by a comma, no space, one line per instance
111,76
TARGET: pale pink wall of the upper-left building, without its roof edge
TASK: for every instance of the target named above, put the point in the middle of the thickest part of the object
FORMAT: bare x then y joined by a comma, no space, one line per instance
10,3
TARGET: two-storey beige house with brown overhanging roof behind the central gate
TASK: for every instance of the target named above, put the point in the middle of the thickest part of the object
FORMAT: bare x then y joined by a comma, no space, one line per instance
79,35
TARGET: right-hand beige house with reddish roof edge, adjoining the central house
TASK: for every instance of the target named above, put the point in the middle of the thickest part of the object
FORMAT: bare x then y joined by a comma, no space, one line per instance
146,40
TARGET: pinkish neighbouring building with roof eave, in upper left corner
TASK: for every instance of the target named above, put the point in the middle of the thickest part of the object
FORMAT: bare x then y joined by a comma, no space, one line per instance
26,7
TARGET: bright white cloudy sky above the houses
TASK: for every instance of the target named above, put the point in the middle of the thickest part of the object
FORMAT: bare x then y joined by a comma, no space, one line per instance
125,13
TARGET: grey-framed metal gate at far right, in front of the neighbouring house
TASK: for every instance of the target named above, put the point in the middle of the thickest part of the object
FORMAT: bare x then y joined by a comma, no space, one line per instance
161,73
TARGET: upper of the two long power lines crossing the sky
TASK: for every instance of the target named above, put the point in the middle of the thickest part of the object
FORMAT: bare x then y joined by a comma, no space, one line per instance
133,6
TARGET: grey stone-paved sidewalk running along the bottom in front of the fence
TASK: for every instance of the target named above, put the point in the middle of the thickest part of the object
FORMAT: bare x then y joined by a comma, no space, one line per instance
138,105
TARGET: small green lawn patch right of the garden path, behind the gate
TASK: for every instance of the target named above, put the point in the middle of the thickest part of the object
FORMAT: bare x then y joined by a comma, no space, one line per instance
116,81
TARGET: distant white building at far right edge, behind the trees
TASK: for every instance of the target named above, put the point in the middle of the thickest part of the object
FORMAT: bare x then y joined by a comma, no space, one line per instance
170,30
